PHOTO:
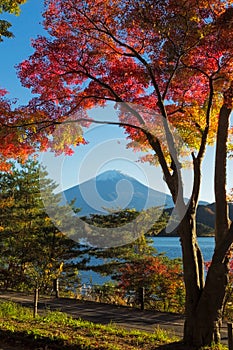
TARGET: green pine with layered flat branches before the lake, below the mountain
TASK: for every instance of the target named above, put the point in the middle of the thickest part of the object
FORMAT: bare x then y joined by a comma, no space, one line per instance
115,257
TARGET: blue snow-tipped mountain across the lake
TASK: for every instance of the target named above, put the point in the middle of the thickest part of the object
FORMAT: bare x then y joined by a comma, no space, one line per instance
114,190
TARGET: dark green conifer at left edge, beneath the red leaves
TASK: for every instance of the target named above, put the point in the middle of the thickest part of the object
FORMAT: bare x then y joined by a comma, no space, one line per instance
33,251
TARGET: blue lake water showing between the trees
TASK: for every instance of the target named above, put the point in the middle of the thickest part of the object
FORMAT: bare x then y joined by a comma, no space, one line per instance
168,245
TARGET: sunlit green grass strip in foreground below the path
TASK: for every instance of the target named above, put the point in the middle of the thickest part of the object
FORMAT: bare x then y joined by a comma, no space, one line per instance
57,330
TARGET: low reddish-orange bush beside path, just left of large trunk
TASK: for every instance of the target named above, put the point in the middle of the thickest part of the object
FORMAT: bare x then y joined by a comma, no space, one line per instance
162,279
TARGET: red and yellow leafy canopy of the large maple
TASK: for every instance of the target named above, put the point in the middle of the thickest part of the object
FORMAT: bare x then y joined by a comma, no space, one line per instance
174,59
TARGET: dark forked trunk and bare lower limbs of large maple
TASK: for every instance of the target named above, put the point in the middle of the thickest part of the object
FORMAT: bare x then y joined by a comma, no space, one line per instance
204,301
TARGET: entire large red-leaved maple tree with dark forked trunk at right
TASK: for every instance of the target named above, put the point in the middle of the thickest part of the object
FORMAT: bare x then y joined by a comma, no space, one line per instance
174,59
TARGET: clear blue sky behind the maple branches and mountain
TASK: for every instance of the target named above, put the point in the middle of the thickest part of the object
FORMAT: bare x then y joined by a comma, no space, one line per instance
69,171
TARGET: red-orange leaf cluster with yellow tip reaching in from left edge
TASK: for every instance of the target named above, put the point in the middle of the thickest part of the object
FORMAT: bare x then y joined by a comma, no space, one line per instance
24,133
